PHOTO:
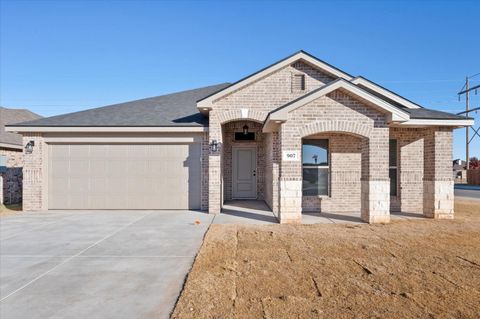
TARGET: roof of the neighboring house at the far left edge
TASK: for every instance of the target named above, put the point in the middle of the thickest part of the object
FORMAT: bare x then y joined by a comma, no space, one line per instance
10,116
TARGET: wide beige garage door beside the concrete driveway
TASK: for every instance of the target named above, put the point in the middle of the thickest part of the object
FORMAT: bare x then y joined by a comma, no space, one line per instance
160,176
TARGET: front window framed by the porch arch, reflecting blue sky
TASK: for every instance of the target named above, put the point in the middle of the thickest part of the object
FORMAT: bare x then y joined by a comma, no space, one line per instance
315,164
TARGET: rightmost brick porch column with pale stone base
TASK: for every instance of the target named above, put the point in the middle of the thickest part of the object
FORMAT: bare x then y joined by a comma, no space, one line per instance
438,178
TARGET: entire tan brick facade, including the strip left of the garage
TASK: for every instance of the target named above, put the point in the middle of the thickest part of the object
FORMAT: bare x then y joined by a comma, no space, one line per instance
358,135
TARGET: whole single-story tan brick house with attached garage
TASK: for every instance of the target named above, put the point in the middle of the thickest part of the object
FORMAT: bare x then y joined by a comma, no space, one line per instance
300,135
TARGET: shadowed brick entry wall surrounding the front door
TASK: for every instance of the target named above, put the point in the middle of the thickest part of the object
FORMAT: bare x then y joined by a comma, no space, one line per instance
229,142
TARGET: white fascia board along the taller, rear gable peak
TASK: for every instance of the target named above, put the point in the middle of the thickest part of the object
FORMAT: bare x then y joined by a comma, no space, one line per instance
207,103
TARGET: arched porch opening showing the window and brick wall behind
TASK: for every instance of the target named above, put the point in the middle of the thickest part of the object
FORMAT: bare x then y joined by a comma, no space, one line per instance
333,165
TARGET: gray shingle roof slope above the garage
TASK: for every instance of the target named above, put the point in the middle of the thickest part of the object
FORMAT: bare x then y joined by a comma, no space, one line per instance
176,109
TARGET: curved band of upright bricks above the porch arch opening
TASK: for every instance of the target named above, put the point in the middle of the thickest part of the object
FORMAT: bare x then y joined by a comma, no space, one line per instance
351,127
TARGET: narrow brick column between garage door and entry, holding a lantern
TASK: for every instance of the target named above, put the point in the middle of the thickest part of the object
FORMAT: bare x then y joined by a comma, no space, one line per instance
215,166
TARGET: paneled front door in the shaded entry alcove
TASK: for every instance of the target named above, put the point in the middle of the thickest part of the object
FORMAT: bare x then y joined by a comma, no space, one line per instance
244,172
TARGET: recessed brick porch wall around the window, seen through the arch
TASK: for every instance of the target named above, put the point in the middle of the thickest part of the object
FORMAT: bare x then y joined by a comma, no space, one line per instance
345,174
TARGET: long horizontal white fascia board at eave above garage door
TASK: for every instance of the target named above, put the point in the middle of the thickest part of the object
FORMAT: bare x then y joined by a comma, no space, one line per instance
154,129
